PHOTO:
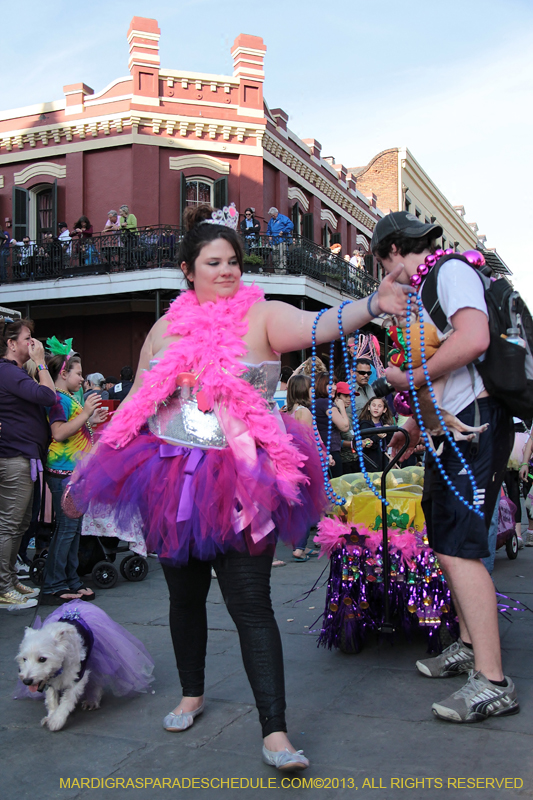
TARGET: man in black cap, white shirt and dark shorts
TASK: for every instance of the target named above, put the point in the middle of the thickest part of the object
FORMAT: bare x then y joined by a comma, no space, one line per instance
457,535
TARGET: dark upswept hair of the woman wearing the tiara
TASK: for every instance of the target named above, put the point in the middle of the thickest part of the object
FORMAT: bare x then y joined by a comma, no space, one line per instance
198,235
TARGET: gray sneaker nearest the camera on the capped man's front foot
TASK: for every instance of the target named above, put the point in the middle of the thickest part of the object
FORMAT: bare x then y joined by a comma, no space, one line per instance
477,700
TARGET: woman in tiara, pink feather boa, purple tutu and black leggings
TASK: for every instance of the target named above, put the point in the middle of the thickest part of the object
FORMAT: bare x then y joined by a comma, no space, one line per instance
199,455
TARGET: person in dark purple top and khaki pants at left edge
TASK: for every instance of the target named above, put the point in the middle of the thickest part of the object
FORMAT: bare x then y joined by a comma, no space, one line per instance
24,439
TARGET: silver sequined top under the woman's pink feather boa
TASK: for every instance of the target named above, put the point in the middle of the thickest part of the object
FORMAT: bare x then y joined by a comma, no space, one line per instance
180,421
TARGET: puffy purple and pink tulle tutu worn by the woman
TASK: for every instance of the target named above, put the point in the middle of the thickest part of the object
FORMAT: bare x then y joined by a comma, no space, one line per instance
187,500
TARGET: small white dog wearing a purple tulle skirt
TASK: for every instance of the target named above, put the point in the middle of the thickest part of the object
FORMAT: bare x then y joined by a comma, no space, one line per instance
78,651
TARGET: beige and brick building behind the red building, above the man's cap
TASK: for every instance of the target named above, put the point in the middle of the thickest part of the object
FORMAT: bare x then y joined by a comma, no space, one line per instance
398,182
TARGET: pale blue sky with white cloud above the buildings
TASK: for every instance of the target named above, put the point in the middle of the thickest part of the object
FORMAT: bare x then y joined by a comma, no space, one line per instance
452,81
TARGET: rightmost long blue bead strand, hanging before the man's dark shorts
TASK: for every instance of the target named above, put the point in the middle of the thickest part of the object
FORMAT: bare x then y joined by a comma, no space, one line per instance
418,414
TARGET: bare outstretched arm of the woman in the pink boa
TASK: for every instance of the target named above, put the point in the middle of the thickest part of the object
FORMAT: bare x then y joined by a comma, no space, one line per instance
289,328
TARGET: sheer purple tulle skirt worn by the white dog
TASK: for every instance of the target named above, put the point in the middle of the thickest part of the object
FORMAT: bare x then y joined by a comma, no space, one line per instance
118,660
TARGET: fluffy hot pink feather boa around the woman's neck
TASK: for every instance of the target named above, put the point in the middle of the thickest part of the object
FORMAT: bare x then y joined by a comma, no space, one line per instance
210,347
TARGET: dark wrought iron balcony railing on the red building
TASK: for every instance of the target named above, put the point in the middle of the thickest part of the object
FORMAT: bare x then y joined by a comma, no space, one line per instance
157,246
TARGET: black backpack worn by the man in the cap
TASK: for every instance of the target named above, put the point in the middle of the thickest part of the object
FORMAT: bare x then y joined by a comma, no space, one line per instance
507,368
